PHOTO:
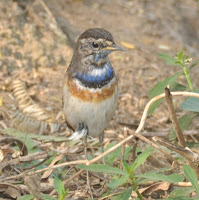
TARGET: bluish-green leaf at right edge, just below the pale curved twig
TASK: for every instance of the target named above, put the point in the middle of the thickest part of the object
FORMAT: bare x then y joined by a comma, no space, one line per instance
191,104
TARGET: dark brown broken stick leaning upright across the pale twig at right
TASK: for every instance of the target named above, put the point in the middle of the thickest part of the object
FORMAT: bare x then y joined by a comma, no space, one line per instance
174,119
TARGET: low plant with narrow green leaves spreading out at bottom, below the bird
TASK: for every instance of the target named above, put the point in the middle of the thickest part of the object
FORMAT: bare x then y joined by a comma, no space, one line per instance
128,178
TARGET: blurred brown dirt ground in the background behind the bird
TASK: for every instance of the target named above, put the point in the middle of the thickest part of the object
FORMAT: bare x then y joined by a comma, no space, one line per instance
37,40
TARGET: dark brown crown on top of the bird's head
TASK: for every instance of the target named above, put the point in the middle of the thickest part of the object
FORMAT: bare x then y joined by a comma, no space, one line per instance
96,33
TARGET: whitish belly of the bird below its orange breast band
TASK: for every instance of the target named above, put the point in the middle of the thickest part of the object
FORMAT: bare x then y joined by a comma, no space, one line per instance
96,115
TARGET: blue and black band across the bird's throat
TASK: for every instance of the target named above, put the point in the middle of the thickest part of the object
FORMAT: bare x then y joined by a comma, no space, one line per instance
98,81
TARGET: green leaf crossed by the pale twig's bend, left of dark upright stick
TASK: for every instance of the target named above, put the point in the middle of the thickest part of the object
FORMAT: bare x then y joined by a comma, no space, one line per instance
159,89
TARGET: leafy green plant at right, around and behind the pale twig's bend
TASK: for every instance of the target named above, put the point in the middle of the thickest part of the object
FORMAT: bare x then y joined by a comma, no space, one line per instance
191,104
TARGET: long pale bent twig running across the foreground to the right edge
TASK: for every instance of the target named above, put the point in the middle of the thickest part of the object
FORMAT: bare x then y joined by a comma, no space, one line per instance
140,127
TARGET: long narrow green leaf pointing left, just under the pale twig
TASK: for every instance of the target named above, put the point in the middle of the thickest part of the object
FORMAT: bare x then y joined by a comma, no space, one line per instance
102,168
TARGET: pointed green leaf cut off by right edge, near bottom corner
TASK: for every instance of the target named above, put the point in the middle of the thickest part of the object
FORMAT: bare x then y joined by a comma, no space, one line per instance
191,176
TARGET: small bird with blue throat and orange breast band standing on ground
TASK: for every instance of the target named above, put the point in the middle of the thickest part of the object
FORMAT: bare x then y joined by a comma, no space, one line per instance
90,91
